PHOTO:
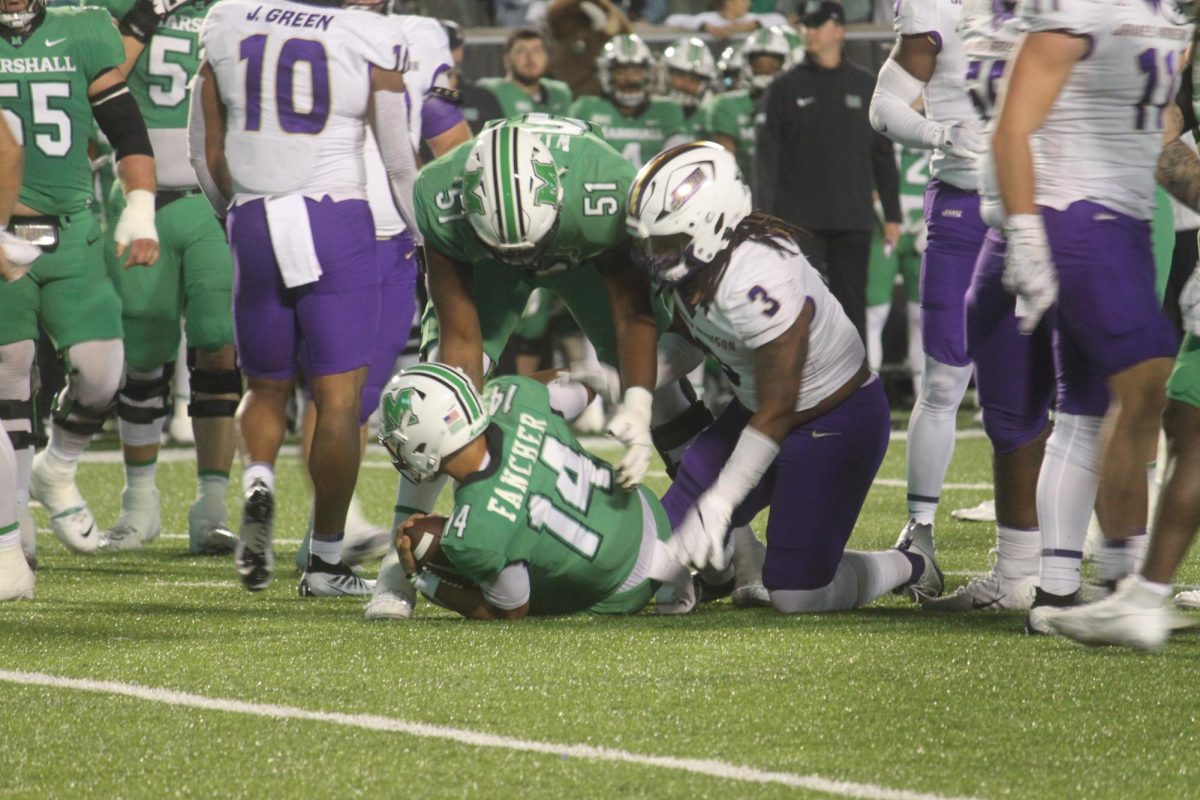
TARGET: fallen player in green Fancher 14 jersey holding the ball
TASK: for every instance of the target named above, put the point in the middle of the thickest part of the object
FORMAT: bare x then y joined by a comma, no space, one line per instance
539,525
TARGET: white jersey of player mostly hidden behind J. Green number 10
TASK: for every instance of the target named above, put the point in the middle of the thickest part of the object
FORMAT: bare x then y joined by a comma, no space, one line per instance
429,67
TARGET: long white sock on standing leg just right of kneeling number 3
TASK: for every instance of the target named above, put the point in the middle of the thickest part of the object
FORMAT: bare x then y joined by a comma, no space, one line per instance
932,436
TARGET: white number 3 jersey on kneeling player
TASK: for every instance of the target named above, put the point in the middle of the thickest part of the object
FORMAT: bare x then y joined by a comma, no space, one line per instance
760,298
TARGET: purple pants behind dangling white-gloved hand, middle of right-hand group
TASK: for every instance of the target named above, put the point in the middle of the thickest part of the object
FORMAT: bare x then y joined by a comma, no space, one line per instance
1015,374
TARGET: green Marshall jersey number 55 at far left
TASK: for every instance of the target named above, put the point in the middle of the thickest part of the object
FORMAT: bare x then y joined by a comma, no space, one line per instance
44,91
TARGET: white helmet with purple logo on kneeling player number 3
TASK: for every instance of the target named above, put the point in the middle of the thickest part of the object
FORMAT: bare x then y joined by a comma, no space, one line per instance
685,206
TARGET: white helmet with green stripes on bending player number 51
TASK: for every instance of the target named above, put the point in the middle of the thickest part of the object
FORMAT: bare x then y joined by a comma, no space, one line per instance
512,194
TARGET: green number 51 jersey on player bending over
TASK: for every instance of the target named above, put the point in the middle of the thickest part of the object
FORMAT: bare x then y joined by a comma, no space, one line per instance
596,183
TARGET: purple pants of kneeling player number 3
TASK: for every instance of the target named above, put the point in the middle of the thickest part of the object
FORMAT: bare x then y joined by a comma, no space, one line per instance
815,488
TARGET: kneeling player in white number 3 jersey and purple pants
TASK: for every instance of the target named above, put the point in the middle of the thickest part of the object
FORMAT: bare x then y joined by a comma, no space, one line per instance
809,426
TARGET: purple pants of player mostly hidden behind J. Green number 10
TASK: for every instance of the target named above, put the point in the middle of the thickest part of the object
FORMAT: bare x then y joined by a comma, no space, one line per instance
398,270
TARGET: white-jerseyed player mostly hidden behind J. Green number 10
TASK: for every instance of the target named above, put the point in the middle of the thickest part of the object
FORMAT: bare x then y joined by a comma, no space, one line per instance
436,118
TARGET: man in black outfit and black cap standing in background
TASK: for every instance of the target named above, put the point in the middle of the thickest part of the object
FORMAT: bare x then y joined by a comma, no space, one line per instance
819,161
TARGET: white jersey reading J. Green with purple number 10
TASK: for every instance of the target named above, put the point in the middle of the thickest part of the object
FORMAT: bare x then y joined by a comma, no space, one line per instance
295,80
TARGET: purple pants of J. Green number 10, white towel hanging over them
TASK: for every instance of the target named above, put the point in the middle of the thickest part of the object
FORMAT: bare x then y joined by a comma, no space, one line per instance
334,320
